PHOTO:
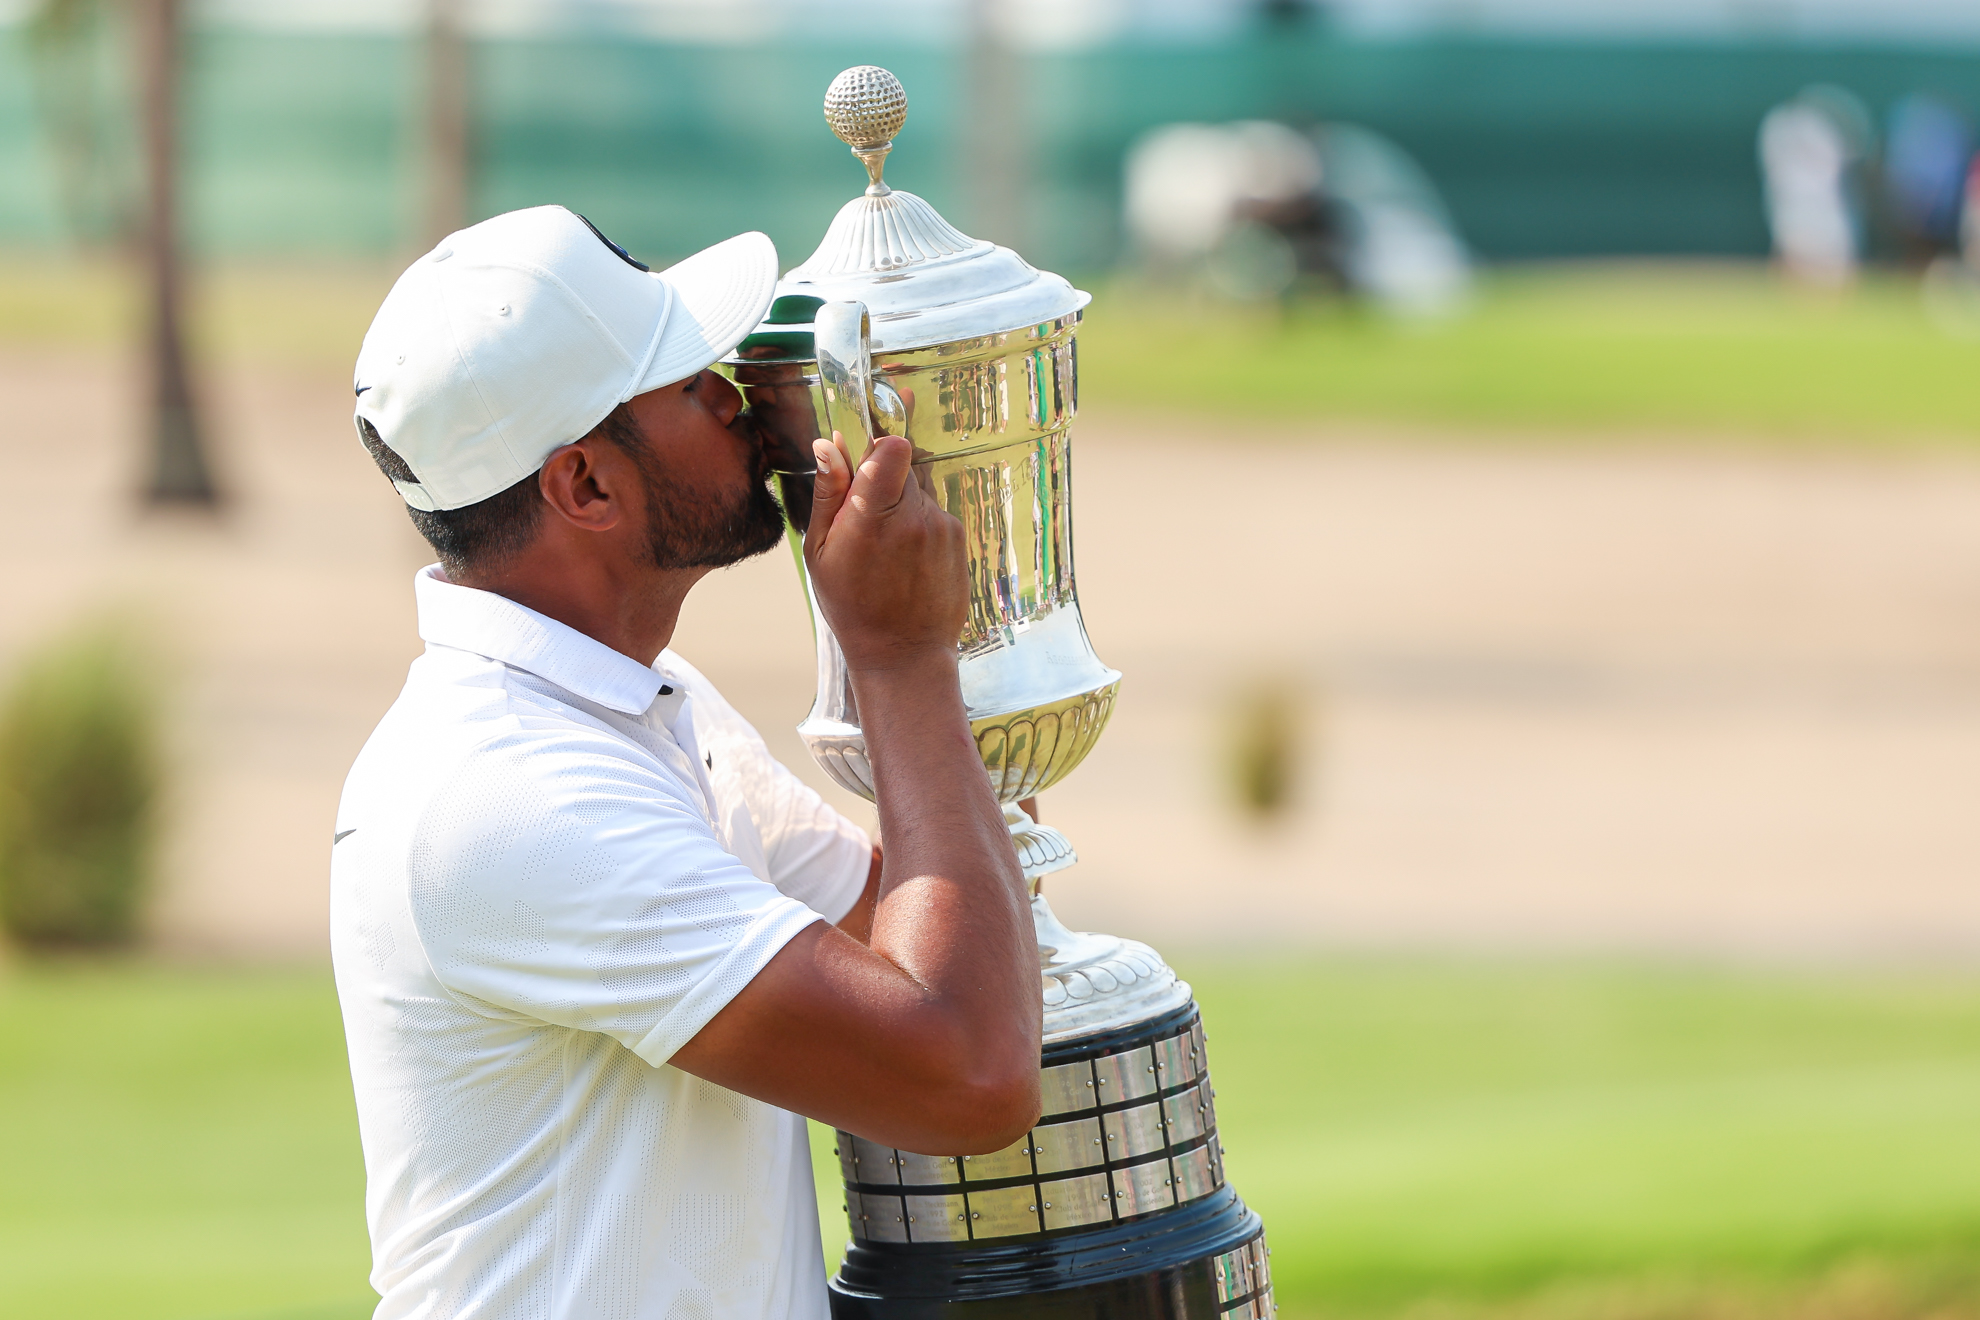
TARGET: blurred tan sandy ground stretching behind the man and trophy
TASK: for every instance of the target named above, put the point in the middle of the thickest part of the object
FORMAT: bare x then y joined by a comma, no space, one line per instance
1577,700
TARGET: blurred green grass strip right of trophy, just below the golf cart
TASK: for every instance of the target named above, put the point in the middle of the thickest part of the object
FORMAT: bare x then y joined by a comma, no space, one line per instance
1567,349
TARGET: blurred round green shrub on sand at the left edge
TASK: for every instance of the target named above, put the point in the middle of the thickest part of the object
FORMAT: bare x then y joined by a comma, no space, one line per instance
78,783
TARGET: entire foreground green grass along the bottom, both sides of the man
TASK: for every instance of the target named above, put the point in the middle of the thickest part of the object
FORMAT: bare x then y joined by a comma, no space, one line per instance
1436,1139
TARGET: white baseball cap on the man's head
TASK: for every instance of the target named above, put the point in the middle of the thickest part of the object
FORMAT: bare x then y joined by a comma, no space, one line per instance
522,333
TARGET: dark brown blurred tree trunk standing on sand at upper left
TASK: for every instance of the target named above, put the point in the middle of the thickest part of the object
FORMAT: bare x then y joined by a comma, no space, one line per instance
179,474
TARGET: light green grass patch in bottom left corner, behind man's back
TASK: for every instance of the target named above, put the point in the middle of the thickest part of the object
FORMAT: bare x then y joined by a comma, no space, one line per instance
181,1145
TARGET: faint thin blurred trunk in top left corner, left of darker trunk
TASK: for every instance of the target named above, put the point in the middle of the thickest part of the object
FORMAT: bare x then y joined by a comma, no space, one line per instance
66,45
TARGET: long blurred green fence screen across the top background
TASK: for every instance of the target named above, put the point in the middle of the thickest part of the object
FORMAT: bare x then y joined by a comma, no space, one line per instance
306,143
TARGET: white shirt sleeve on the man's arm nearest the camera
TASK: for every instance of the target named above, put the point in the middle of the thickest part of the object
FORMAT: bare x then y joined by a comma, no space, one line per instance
559,878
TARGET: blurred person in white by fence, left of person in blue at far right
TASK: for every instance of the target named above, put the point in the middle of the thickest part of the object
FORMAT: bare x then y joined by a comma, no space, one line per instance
1813,157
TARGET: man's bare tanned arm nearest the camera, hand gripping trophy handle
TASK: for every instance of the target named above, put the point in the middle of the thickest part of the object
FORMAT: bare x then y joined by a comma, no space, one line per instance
924,1038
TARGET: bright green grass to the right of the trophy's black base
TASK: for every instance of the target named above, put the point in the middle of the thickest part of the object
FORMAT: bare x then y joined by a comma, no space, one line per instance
1484,1131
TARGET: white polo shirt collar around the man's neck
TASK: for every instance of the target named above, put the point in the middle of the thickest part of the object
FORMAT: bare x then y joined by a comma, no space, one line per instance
494,626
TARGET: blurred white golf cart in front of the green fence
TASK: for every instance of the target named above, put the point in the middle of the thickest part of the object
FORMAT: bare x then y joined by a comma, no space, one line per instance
1258,207
